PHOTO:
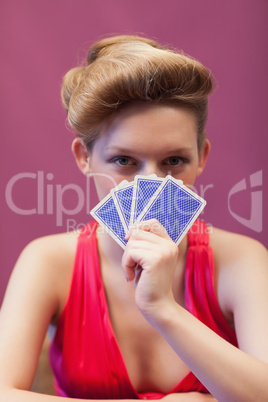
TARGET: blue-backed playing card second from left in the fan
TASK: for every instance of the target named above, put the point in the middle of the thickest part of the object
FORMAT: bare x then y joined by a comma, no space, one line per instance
123,195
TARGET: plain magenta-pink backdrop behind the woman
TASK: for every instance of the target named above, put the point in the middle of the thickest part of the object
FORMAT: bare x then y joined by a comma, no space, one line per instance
40,40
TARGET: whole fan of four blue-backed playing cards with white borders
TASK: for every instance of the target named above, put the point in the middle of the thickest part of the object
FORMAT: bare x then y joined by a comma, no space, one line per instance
168,200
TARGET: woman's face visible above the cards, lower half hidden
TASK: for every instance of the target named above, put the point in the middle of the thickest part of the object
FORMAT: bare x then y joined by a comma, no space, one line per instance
144,139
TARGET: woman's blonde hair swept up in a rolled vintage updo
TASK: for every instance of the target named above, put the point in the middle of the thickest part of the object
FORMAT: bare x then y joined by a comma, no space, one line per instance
126,68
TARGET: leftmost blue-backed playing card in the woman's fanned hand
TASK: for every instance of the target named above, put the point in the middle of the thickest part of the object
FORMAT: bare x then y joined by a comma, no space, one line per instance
106,214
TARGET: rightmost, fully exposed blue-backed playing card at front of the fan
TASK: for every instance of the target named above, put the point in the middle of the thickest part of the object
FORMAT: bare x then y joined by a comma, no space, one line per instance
175,206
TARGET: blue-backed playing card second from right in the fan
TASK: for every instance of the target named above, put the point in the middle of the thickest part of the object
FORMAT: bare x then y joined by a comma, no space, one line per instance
143,190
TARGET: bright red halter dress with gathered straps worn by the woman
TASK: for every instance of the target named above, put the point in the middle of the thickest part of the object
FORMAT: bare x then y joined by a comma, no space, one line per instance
84,354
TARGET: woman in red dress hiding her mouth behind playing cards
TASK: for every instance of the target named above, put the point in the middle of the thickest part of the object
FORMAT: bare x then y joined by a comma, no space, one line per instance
191,322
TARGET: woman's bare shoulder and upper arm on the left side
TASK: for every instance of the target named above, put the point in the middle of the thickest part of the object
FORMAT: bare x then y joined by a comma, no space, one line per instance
34,297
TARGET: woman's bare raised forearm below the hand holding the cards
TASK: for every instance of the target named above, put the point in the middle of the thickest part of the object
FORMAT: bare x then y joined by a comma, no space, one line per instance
227,372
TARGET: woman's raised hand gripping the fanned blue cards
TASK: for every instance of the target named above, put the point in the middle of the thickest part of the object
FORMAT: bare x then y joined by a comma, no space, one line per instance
150,259
